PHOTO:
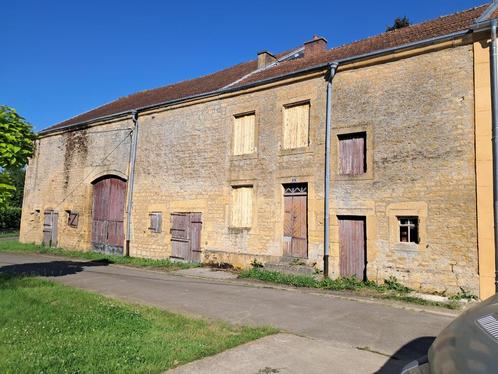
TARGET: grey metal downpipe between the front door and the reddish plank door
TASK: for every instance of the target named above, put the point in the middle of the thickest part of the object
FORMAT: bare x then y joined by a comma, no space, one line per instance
326,205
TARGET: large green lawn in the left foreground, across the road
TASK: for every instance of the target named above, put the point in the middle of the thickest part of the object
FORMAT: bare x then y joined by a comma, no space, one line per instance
50,328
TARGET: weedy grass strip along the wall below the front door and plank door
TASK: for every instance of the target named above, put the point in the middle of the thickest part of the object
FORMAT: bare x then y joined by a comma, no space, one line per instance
390,289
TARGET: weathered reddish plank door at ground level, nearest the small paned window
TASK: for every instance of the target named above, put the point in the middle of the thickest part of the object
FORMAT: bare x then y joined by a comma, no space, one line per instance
352,249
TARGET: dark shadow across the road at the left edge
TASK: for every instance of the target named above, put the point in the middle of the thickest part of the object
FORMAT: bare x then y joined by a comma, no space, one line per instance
50,269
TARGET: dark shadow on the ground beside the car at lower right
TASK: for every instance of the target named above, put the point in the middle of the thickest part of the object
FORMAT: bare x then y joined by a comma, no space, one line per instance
411,351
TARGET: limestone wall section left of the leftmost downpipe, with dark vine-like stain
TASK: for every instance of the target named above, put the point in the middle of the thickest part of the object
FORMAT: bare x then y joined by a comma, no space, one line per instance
60,174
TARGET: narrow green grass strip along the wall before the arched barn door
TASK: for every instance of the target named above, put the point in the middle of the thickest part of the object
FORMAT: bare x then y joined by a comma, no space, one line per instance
15,246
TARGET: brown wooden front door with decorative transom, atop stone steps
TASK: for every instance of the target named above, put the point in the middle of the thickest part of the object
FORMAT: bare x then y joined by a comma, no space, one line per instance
296,220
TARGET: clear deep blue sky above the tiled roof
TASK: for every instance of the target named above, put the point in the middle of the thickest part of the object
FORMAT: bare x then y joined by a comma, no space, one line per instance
61,58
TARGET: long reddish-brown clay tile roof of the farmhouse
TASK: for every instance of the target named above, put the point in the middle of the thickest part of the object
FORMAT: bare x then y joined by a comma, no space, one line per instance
241,73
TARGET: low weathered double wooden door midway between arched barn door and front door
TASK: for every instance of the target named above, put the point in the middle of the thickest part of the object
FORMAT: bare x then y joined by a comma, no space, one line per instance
186,236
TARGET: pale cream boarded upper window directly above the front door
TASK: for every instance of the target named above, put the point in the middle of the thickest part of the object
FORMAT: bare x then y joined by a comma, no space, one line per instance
296,126
